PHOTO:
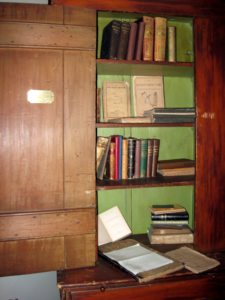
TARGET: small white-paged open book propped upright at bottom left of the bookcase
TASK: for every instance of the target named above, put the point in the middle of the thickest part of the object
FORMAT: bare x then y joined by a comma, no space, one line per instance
115,224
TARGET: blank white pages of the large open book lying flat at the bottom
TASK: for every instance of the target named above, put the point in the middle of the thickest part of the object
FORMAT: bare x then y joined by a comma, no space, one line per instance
138,259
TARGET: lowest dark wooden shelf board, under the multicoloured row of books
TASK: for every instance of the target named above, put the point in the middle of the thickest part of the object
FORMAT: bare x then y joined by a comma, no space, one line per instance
107,184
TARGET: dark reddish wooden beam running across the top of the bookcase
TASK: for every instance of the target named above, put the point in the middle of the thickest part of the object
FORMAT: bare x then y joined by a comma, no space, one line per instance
172,7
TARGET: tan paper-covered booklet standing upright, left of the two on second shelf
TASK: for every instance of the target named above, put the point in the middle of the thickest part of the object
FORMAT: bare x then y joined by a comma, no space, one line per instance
116,100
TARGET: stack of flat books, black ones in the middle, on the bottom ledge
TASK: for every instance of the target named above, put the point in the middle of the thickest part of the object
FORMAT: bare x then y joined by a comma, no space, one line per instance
169,225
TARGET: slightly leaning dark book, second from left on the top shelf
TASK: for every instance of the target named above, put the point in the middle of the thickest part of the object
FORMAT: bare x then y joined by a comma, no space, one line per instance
123,40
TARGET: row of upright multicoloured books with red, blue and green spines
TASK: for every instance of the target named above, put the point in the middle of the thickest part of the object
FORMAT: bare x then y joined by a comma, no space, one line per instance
126,158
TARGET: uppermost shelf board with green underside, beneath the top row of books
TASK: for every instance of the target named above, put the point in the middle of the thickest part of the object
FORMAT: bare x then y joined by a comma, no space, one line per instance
144,68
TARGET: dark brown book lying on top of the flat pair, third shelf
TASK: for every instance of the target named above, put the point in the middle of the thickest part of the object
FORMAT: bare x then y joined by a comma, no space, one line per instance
175,163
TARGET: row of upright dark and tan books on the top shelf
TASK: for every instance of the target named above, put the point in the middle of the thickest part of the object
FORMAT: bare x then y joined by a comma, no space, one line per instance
144,39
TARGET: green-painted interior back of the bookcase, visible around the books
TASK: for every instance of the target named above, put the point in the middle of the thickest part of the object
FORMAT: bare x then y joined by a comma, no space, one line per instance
176,140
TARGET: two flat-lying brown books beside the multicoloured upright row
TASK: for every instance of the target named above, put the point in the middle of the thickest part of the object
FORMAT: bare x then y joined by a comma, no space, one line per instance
176,167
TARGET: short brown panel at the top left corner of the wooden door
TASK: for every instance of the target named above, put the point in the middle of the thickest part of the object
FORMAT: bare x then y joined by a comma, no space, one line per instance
31,13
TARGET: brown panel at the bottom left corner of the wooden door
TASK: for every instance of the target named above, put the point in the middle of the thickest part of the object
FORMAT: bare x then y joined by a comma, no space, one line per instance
31,256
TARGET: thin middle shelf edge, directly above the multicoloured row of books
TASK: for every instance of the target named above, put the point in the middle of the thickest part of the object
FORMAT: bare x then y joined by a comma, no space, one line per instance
108,125
